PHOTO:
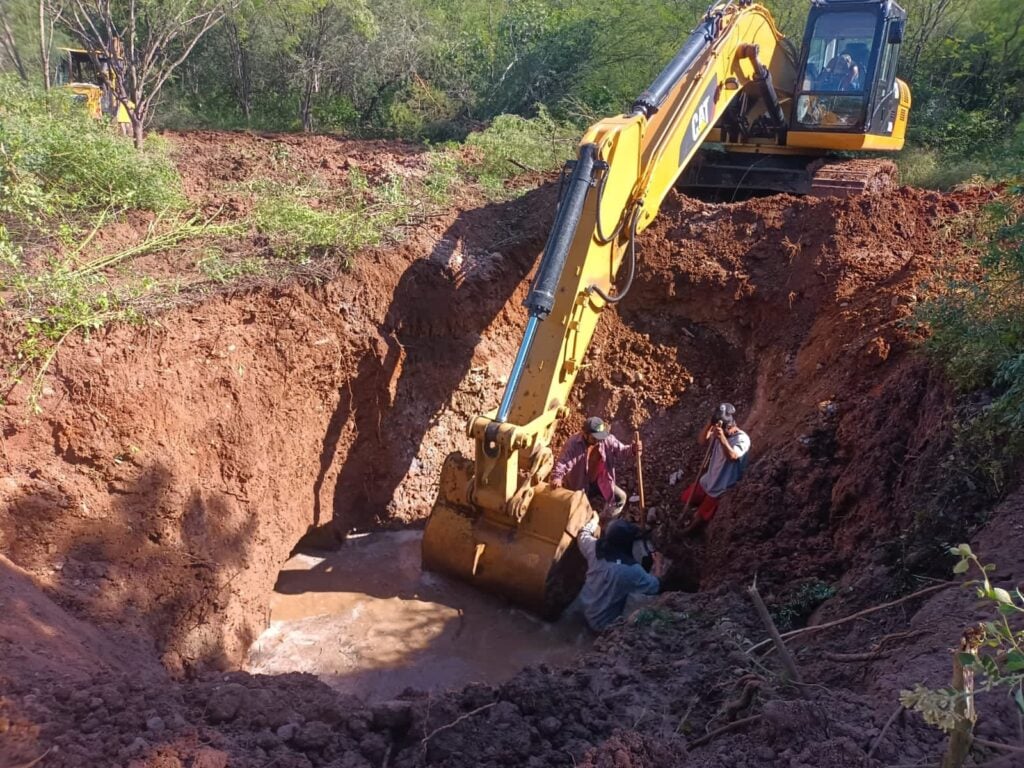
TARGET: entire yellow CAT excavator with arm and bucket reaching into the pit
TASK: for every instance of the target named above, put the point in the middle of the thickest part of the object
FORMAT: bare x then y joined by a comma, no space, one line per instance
776,116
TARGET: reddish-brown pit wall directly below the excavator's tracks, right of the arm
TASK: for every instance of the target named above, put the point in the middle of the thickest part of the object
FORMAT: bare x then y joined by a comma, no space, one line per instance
800,313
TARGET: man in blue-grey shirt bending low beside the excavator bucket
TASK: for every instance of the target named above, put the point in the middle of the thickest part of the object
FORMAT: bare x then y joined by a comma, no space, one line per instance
613,573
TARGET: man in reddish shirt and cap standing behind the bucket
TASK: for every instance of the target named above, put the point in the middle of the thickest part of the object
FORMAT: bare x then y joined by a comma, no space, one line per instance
587,464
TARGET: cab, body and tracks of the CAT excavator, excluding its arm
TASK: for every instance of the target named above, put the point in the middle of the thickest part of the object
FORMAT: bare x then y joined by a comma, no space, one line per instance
842,96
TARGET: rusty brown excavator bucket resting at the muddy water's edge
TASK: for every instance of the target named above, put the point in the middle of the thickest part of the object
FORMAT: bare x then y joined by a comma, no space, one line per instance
534,564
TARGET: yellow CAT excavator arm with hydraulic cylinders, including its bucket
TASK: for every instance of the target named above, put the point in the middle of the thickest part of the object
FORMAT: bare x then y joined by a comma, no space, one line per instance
497,523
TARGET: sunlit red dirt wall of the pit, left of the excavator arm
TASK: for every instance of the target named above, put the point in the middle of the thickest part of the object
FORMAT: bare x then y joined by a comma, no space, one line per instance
175,466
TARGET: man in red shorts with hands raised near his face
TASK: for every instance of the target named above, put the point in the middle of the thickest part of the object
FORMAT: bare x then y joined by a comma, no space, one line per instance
722,468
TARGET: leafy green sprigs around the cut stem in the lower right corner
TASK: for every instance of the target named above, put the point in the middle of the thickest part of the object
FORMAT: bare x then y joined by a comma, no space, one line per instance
994,651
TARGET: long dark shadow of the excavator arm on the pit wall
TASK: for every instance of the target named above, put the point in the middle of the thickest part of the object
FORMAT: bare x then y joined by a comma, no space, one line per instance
441,308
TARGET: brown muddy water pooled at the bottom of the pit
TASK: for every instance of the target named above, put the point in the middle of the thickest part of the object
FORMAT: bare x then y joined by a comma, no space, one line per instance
367,621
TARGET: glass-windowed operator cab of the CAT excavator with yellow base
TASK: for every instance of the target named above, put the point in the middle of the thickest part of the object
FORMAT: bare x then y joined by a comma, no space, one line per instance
848,96
